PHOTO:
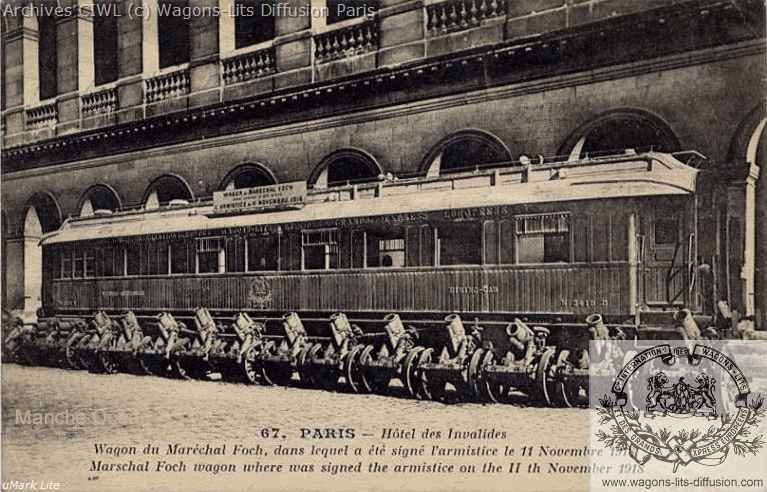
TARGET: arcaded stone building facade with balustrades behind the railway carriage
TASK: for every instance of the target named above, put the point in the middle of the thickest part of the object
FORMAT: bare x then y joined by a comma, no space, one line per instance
108,108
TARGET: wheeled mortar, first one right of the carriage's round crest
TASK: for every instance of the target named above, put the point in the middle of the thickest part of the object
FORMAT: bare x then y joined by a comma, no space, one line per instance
278,360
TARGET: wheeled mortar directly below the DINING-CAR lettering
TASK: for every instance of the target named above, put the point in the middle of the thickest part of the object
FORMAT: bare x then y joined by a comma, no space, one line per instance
434,368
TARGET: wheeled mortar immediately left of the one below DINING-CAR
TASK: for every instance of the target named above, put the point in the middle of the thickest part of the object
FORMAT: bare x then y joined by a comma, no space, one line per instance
370,368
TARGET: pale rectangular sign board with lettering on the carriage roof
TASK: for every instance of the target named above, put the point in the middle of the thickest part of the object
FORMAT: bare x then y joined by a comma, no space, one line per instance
271,197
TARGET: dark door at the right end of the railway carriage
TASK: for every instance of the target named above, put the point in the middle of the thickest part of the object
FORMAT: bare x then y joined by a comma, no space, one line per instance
665,258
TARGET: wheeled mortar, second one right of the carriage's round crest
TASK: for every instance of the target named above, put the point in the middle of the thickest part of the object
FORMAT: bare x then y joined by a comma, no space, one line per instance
323,363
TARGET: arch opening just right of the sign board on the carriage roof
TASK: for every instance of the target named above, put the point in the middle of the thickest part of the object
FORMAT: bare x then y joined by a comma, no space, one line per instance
345,166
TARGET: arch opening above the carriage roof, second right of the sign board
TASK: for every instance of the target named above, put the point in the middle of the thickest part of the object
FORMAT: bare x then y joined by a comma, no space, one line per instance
464,150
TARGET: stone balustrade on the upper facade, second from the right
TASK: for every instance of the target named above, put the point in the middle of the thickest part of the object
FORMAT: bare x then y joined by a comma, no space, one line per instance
346,41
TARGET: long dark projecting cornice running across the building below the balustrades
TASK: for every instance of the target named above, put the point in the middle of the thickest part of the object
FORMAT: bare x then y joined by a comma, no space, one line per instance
570,57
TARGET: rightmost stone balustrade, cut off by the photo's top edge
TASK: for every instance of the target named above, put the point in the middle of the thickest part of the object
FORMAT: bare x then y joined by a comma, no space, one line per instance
457,15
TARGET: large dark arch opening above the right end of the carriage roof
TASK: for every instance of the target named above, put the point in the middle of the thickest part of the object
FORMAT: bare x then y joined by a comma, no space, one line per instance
618,130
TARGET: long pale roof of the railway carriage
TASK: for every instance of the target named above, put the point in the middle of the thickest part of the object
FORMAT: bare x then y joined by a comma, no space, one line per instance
623,176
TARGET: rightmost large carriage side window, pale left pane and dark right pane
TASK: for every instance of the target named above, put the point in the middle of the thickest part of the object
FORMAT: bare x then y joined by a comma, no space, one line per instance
543,238
